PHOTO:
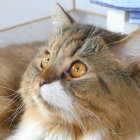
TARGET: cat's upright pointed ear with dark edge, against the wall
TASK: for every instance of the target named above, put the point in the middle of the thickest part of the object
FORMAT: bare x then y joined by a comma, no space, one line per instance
61,17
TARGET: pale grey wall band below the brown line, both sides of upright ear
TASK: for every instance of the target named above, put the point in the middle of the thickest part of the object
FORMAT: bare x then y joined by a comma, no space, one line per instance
39,31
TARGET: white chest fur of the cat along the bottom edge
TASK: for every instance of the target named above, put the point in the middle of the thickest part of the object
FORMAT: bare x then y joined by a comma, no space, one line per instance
31,131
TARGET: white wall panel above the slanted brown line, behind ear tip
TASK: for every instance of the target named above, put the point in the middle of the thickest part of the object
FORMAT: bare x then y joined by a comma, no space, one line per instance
15,12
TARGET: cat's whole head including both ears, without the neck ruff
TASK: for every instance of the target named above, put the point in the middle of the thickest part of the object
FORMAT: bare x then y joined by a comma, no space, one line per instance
77,75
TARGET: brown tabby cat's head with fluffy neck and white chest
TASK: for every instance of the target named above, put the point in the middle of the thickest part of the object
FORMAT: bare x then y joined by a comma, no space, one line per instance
83,84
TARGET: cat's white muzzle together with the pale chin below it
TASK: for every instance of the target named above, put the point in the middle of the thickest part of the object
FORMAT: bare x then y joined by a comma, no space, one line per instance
53,100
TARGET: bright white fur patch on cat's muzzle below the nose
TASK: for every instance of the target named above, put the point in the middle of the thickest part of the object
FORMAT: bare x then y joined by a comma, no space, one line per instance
55,95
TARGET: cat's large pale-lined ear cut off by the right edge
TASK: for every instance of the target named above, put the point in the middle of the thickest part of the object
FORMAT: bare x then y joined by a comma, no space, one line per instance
128,49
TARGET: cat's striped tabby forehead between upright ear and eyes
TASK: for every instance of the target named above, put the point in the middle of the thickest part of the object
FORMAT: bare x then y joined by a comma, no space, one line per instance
67,40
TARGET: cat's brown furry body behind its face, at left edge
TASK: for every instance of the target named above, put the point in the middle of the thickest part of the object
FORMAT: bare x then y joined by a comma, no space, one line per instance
13,62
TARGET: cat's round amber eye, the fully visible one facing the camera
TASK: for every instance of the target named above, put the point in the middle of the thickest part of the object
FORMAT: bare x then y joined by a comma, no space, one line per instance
78,69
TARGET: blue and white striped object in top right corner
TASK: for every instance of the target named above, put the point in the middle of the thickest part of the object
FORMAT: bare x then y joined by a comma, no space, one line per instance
132,6
